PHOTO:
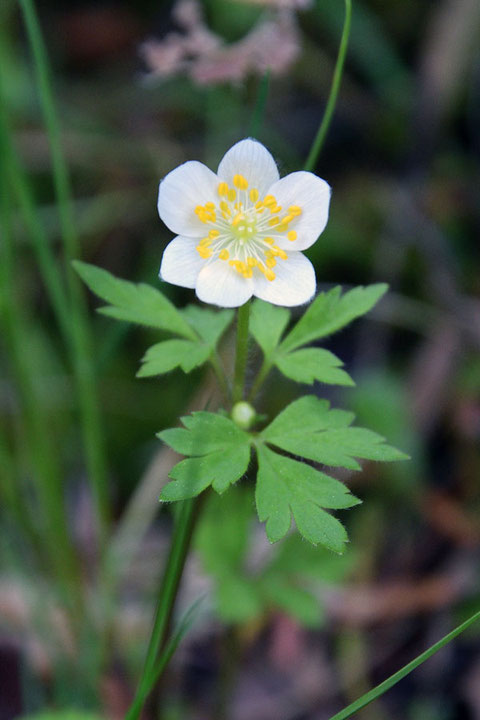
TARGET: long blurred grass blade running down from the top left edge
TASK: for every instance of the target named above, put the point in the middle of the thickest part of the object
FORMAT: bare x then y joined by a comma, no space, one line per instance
80,335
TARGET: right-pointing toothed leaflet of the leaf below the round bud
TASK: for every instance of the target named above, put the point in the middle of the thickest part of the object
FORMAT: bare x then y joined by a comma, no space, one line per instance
310,429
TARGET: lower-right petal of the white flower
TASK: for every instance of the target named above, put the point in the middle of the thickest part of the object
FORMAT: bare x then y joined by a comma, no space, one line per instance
294,283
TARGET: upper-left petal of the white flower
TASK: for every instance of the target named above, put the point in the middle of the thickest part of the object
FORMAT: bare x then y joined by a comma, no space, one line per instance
180,192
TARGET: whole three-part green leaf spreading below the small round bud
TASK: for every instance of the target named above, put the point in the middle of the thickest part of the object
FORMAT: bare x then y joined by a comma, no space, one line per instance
219,455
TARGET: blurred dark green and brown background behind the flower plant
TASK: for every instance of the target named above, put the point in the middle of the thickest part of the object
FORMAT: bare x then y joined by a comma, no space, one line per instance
283,632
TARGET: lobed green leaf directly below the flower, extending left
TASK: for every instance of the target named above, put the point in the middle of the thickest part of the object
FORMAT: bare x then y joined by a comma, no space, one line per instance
200,329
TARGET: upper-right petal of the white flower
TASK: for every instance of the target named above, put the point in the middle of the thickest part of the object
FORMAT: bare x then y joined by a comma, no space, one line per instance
312,195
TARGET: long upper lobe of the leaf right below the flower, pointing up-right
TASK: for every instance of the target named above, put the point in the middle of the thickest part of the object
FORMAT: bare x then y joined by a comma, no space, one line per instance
330,312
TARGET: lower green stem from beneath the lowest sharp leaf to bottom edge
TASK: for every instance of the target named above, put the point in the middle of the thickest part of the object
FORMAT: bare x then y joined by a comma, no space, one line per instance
180,543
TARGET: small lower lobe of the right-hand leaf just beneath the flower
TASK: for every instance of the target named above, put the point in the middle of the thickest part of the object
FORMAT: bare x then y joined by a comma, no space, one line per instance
312,364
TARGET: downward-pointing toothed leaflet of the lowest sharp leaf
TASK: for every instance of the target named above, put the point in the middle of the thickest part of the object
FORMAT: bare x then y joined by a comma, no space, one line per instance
286,487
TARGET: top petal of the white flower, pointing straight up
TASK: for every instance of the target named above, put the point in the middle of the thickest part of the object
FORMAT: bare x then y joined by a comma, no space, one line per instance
252,160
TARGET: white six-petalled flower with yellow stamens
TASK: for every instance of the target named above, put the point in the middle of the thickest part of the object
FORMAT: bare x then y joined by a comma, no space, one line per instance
240,231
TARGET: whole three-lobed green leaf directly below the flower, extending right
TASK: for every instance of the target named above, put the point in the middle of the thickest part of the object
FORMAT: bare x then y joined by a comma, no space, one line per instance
328,313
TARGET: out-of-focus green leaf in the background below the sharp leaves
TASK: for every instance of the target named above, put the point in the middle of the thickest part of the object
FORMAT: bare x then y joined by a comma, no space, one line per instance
286,579
